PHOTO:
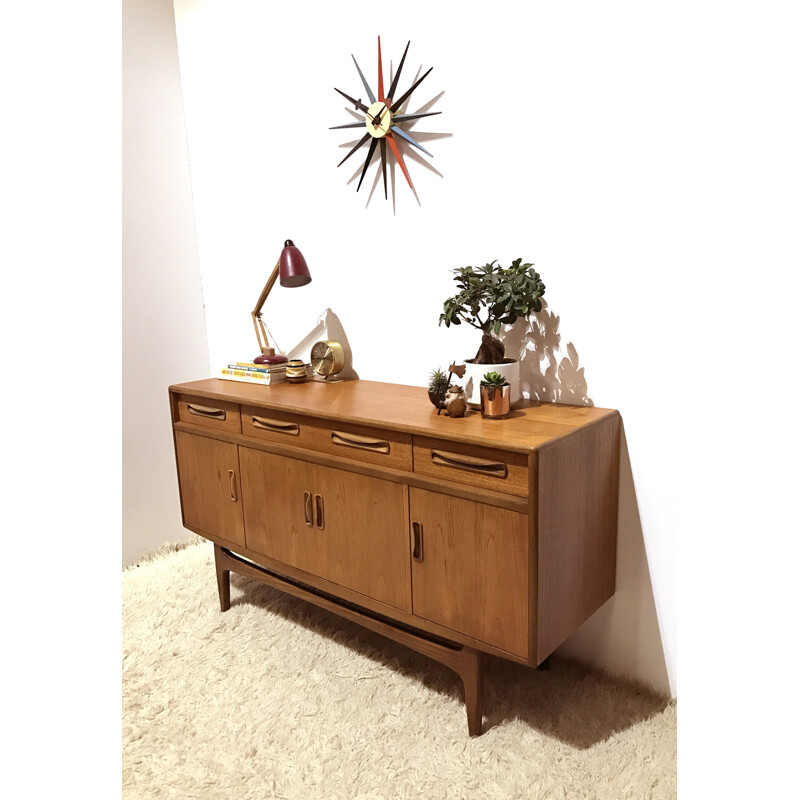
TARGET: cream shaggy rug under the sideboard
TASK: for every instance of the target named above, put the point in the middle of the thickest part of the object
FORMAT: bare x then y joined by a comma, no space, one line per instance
276,698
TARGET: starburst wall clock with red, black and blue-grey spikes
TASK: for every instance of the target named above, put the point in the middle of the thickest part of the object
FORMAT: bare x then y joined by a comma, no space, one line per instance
382,120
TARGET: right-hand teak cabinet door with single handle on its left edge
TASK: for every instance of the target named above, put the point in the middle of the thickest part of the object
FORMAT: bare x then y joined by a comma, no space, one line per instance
470,568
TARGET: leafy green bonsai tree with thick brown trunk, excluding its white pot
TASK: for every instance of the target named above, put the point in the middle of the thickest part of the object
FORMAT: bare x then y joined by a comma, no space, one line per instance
492,296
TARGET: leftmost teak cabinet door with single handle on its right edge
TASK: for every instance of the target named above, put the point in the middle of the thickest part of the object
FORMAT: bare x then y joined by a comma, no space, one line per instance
208,474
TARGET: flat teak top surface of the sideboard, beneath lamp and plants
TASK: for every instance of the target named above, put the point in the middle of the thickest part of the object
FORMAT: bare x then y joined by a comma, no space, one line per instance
531,425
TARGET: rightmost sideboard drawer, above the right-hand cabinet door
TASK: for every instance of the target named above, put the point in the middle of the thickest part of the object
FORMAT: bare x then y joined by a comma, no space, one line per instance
500,470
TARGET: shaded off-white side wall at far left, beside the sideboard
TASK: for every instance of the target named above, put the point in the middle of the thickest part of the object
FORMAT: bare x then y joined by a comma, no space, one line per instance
164,336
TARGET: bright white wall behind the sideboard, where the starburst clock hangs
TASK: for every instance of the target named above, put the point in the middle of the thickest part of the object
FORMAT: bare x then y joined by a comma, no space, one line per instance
554,145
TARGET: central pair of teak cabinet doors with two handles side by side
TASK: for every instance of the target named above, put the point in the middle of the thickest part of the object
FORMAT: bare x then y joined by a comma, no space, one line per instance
345,527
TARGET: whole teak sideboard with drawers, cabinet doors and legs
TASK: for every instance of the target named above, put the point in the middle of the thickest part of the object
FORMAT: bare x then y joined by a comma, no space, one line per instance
454,536
